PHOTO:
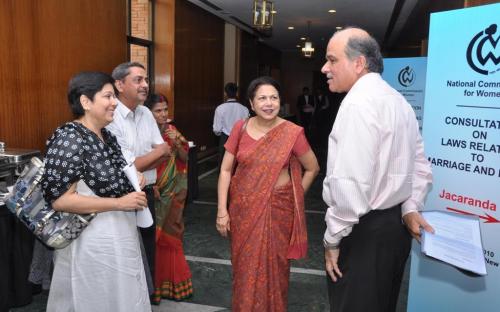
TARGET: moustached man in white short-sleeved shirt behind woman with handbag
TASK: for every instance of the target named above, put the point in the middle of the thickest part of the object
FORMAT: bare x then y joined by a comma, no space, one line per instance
139,137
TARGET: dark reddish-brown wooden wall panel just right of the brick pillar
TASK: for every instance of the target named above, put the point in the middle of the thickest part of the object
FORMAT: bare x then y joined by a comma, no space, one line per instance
199,72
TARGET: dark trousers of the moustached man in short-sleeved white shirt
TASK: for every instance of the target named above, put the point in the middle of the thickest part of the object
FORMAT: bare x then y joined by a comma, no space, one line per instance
149,234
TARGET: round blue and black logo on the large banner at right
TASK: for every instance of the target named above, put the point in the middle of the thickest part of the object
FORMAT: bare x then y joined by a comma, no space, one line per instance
482,51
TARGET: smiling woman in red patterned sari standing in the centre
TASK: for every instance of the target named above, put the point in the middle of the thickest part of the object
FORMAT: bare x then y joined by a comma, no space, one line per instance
265,219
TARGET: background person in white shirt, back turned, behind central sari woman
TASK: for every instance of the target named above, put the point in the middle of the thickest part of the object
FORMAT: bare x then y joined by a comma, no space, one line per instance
226,115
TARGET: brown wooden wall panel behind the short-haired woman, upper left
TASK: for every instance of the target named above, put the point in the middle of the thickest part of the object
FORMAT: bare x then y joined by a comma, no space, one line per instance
44,43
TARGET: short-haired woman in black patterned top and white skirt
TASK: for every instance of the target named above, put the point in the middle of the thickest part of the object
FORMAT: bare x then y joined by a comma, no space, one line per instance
101,270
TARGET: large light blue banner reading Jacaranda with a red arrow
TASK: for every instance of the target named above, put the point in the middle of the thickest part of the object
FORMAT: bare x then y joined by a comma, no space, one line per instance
461,133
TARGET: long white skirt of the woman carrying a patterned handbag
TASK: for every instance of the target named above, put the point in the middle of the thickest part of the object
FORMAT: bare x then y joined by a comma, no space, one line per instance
101,270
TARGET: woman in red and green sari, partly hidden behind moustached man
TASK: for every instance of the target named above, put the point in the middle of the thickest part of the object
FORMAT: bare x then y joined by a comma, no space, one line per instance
172,275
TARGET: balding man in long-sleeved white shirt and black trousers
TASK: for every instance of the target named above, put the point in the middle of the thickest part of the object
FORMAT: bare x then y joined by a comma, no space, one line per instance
377,176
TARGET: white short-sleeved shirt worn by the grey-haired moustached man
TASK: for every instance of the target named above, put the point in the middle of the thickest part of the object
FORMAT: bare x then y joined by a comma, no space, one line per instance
136,132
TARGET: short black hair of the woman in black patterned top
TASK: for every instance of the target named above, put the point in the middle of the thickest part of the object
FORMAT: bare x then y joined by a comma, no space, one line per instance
88,84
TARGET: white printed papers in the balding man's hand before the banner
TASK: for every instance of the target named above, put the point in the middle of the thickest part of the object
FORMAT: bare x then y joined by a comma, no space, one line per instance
457,240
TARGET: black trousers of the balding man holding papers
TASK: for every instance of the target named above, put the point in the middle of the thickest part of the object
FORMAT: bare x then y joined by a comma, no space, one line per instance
372,260
